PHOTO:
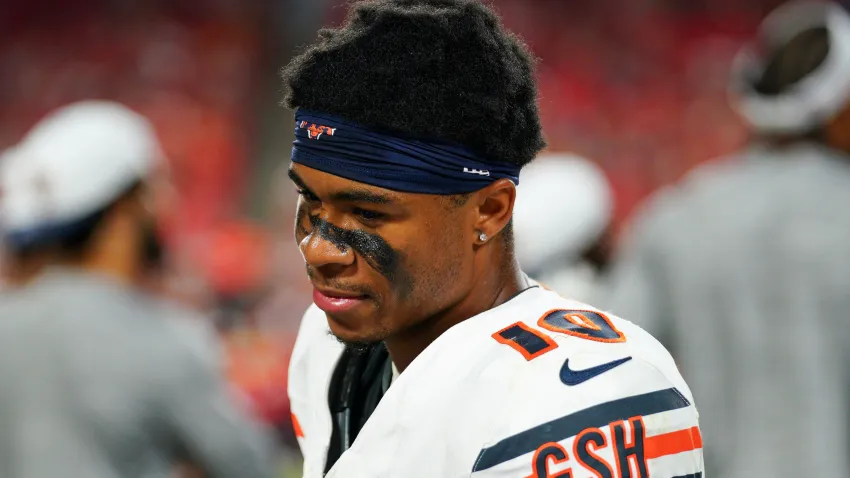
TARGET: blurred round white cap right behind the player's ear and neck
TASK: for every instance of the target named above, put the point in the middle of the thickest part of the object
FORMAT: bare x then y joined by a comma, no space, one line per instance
564,203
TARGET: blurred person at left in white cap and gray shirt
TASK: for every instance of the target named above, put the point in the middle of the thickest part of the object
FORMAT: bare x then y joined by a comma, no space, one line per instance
99,378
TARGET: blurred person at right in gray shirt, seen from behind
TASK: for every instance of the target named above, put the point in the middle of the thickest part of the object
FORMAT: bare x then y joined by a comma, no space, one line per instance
742,269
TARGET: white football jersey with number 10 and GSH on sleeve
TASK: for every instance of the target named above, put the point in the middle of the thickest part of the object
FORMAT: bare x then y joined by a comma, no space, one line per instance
538,387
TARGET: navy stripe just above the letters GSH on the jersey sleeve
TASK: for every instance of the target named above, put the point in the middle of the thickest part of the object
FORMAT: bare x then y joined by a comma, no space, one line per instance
571,425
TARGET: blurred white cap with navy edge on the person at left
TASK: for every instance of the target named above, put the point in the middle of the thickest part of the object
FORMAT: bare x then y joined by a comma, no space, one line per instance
76,161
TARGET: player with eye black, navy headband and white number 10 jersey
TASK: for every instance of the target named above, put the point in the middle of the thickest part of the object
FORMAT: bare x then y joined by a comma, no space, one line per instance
428,352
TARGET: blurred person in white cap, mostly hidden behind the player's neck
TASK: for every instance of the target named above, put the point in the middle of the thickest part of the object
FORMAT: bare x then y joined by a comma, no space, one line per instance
562,224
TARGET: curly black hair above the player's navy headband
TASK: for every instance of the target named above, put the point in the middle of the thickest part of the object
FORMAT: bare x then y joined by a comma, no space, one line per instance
430,69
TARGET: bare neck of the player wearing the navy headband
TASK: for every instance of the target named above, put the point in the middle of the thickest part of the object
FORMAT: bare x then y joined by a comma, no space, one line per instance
493,286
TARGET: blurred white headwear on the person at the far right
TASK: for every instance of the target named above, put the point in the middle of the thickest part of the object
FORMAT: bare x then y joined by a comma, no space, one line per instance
816,98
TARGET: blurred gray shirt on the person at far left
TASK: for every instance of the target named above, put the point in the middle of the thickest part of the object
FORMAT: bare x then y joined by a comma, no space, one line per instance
99,381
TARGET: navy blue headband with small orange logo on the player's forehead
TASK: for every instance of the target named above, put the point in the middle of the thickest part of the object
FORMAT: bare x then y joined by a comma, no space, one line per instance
337,147
